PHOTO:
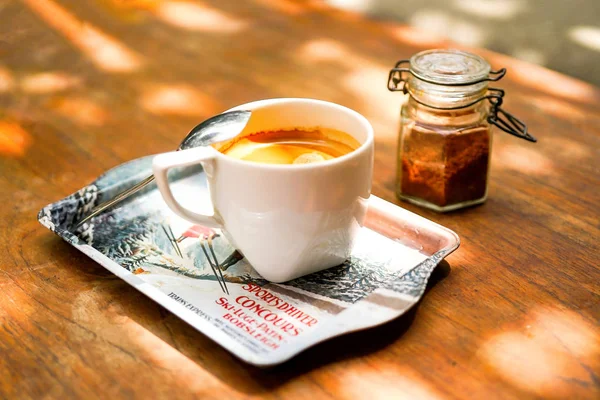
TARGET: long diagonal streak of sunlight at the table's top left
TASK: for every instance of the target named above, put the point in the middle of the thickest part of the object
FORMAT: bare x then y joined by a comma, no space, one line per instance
106,52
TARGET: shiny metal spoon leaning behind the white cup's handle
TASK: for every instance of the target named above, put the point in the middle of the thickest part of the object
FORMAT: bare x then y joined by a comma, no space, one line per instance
216,129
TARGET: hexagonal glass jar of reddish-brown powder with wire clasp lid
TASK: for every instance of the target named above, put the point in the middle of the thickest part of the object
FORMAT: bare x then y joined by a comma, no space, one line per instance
445,138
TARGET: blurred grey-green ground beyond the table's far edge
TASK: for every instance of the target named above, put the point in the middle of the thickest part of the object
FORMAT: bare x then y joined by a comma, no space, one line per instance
563,35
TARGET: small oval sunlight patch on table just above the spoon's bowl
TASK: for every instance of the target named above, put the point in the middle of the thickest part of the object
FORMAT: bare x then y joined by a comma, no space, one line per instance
178,99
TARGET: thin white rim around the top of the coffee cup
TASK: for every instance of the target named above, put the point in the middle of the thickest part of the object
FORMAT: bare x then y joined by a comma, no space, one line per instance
368,143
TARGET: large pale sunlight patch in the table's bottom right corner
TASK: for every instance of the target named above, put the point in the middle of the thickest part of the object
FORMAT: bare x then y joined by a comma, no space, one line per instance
537,356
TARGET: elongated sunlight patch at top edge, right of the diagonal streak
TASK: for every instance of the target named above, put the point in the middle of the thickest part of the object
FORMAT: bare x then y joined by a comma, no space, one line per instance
198,17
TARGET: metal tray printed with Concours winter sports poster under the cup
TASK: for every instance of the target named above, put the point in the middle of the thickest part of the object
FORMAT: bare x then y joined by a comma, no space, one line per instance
145,244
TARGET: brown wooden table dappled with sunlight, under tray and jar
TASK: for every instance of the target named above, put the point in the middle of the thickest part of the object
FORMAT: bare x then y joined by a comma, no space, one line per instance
87,85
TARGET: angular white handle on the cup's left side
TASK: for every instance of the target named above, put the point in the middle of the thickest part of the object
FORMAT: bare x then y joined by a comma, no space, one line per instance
162,163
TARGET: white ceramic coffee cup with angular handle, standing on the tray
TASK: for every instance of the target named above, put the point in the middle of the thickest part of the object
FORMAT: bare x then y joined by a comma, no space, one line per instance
287,220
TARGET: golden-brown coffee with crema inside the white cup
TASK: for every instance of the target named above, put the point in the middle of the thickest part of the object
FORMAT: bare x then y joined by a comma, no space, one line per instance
294,146
